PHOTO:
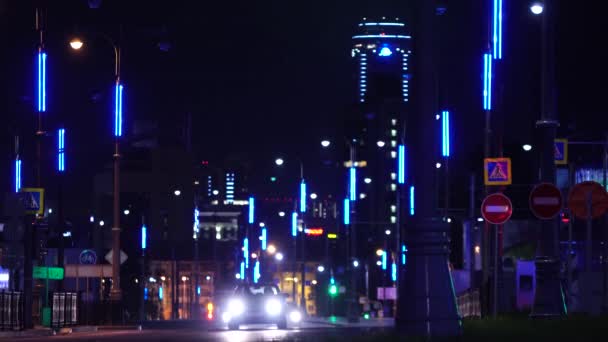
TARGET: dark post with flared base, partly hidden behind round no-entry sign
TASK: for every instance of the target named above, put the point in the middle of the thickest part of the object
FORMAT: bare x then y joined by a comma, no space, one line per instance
548,300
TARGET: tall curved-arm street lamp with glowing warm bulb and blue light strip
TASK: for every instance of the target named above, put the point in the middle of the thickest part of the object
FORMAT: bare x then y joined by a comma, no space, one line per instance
115,291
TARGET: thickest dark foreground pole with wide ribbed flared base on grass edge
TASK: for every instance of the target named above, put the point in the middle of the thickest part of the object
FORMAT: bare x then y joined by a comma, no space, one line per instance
426,301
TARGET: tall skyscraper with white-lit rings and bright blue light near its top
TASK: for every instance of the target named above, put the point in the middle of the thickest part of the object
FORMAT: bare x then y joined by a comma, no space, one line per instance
381,53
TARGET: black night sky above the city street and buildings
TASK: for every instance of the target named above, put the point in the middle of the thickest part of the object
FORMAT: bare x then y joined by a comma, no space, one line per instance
268,77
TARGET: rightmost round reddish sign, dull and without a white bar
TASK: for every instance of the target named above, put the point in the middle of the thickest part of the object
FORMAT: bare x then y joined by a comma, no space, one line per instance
579,195
